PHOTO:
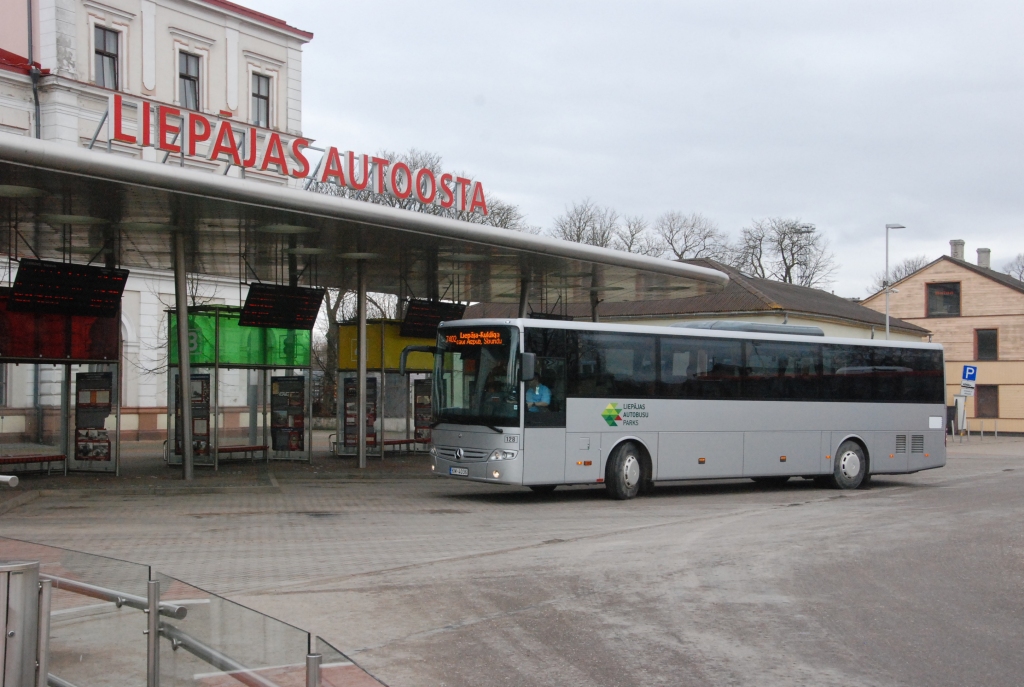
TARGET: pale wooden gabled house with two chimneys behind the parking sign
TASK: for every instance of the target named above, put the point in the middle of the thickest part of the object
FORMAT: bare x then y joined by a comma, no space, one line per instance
978,315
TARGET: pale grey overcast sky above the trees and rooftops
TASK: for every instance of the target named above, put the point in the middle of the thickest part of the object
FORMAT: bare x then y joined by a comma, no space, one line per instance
847,115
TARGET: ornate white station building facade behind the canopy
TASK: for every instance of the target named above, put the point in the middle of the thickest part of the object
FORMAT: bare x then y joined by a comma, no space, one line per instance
210,57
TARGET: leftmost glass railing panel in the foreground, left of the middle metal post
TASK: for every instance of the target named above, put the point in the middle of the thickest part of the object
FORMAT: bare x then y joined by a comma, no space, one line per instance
93,641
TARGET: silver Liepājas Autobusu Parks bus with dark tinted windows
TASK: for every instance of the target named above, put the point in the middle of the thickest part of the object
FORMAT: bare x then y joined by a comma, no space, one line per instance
543,403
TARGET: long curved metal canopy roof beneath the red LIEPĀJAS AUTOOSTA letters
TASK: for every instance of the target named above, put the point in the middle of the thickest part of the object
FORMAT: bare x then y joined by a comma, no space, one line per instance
73,204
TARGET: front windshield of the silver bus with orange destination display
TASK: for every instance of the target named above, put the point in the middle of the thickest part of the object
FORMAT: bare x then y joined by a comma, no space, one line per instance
477,376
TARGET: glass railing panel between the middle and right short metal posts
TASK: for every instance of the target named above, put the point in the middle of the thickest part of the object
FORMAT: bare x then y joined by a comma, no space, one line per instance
221,639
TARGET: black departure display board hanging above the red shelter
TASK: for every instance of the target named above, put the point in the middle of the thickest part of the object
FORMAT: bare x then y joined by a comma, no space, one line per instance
44,287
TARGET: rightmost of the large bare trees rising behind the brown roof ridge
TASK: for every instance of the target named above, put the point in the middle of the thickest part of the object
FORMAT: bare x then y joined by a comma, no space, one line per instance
786,250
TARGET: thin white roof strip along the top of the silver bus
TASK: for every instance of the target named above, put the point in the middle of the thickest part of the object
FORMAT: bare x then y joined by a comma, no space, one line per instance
681,332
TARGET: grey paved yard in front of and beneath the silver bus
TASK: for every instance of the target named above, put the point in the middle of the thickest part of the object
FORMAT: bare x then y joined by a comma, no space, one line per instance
918,581
